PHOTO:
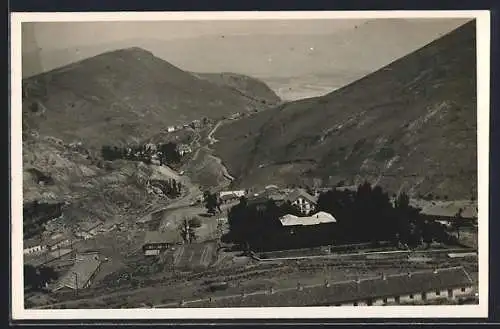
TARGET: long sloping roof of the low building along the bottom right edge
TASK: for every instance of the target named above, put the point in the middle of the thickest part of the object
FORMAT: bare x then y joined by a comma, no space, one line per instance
347,291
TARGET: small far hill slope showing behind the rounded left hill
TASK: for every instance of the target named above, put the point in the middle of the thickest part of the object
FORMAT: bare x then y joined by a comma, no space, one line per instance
253,89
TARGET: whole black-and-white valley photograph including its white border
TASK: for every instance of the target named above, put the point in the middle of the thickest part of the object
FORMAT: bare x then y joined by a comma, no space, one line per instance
249,164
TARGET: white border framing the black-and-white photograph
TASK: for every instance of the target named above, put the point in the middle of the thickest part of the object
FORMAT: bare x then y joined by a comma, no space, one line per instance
18,312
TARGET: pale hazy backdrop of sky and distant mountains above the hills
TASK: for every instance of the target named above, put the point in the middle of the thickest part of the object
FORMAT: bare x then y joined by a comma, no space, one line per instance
310,57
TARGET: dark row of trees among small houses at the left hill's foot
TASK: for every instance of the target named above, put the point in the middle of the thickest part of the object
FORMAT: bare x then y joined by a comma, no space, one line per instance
166,153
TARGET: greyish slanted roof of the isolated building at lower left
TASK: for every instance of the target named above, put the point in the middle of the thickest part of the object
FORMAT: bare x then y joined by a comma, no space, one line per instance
85,266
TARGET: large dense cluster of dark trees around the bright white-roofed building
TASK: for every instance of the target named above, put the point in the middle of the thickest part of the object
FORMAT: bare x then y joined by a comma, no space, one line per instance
364,215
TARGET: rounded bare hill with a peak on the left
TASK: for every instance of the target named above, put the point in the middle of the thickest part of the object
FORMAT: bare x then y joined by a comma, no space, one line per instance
121,95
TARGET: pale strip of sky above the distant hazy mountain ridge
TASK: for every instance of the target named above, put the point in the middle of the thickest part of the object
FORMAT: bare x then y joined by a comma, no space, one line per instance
60,35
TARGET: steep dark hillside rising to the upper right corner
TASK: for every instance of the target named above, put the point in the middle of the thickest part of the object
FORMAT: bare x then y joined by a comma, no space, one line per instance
408,126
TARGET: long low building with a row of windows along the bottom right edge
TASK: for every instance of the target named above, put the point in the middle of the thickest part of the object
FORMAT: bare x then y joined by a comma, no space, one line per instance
428,286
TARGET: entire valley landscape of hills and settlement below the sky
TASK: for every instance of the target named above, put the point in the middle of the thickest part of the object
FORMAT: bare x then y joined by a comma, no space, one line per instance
183,185
